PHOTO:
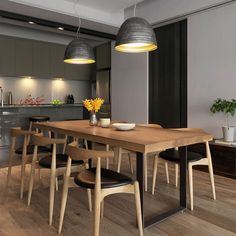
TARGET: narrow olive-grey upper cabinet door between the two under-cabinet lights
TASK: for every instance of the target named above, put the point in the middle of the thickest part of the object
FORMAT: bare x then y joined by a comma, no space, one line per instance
41,60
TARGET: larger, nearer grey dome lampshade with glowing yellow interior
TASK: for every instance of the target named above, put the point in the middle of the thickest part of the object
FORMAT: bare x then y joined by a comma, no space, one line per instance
136,35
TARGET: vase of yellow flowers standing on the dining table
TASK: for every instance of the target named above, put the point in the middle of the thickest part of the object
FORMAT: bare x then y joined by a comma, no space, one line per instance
93,105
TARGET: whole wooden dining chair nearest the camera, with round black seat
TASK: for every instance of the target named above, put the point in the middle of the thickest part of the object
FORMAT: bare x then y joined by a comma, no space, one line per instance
104,182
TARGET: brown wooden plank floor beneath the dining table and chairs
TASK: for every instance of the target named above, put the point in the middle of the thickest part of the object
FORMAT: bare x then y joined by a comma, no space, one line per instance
209,218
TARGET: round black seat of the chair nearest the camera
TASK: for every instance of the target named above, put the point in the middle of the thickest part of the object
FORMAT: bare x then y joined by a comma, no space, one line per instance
109,179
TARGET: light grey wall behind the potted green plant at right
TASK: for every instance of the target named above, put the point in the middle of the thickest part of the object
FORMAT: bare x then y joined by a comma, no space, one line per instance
211,65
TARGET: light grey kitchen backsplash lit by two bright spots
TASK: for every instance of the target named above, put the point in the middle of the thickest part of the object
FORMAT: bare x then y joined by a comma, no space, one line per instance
49,89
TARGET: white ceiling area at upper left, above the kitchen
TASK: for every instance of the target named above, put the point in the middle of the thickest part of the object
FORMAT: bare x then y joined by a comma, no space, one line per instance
108,12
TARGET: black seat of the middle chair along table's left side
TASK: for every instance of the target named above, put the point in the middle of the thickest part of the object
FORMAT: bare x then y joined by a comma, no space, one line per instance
60,162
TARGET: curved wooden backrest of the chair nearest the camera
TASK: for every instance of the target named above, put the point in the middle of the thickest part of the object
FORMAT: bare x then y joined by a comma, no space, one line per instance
76,153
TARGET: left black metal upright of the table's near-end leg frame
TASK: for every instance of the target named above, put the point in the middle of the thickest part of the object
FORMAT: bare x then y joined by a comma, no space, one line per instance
139,176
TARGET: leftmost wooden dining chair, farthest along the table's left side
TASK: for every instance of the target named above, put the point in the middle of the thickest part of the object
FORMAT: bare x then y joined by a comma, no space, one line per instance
25,152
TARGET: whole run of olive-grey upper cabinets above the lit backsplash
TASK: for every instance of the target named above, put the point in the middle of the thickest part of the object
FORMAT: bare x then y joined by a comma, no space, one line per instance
24,57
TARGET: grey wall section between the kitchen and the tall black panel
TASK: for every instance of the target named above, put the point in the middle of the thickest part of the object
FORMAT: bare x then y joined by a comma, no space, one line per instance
129,87
